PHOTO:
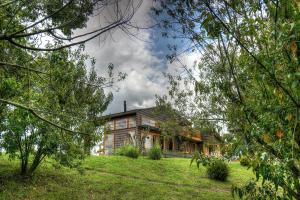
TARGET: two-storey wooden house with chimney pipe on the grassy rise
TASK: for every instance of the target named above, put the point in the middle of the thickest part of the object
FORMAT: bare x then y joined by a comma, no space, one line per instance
141,127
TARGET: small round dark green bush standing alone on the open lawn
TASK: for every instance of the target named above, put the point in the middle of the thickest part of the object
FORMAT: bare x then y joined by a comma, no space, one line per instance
218,170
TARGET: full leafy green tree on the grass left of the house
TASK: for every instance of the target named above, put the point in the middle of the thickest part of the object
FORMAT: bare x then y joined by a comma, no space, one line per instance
71,98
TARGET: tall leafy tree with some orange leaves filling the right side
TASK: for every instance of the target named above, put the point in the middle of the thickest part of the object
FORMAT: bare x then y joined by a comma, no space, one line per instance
248,78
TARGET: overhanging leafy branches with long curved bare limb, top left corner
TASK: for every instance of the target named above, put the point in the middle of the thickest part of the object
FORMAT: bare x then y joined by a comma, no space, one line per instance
26,22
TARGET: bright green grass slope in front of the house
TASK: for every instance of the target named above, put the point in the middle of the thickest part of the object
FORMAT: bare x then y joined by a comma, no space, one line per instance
118,177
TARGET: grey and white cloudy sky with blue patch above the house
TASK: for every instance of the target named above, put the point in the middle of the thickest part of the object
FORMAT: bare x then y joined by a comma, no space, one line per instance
142,57
